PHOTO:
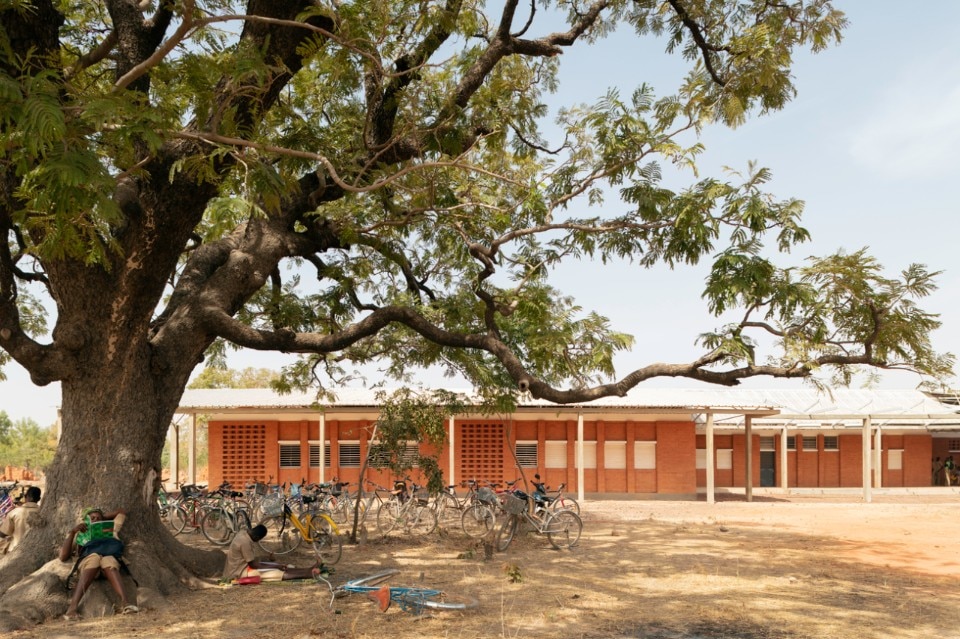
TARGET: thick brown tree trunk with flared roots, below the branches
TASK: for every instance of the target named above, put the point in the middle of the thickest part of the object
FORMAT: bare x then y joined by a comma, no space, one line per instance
116,425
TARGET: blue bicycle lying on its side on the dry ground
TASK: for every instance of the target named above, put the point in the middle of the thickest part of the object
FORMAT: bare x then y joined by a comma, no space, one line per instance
409,598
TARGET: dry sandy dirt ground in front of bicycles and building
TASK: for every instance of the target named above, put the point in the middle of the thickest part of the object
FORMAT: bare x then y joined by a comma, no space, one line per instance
786,568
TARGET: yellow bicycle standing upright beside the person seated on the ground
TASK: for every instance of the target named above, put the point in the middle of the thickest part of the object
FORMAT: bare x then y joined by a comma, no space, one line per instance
286,530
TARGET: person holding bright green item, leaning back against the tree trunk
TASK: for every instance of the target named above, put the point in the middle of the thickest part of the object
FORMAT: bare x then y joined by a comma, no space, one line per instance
95,542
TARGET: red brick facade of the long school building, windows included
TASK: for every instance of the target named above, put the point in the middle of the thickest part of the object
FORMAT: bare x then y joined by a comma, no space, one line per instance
244,450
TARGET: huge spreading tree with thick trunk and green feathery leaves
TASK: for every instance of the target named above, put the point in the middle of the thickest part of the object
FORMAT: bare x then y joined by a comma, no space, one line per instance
359,181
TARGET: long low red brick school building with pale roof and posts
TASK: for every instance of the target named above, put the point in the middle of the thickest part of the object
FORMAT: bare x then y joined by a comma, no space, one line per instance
655,442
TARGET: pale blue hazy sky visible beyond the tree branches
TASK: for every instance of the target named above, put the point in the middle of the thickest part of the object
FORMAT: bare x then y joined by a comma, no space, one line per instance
871,143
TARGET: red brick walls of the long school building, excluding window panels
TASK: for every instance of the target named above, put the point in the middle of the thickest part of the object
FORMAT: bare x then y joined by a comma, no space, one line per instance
675,473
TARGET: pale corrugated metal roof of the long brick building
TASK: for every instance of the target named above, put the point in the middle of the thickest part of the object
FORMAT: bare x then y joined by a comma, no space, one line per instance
794,406
